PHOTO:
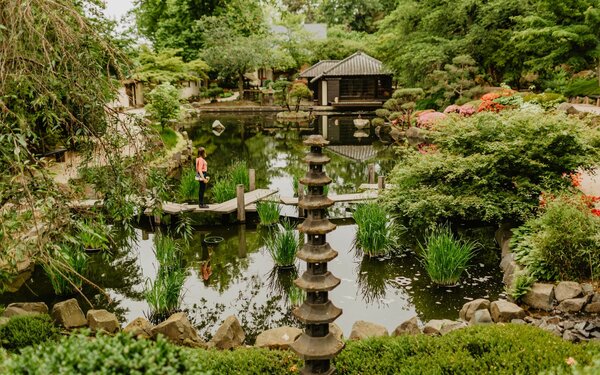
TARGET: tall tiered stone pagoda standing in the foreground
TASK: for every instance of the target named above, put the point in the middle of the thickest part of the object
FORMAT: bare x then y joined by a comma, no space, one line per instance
317,346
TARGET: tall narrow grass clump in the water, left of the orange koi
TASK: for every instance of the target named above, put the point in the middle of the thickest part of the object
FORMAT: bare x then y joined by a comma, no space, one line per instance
164,294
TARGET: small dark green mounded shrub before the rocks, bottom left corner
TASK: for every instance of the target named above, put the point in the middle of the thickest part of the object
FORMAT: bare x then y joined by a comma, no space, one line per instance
22,331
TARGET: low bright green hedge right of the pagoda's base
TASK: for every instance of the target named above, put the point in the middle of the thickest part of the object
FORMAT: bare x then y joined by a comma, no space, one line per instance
493,349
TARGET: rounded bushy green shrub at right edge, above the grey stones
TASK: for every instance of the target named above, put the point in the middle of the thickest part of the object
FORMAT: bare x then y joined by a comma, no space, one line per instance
562,243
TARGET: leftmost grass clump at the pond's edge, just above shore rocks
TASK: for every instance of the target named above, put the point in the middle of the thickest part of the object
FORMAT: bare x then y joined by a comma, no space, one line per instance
65,271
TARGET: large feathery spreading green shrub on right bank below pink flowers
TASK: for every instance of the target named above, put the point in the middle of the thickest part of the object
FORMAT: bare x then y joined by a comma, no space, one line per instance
490,168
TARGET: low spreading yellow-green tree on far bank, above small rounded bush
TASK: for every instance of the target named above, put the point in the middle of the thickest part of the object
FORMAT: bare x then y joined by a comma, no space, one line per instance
167,66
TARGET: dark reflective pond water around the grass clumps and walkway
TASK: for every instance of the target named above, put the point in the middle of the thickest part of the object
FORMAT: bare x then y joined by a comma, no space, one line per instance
236,276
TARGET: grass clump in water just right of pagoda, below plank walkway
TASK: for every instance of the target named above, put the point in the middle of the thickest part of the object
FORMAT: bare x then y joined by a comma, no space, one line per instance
376,234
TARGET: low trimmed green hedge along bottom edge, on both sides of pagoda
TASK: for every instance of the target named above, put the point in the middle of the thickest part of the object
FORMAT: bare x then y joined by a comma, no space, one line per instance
497,349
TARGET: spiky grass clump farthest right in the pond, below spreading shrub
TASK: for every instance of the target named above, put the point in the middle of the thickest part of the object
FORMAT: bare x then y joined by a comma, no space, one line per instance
445,257
